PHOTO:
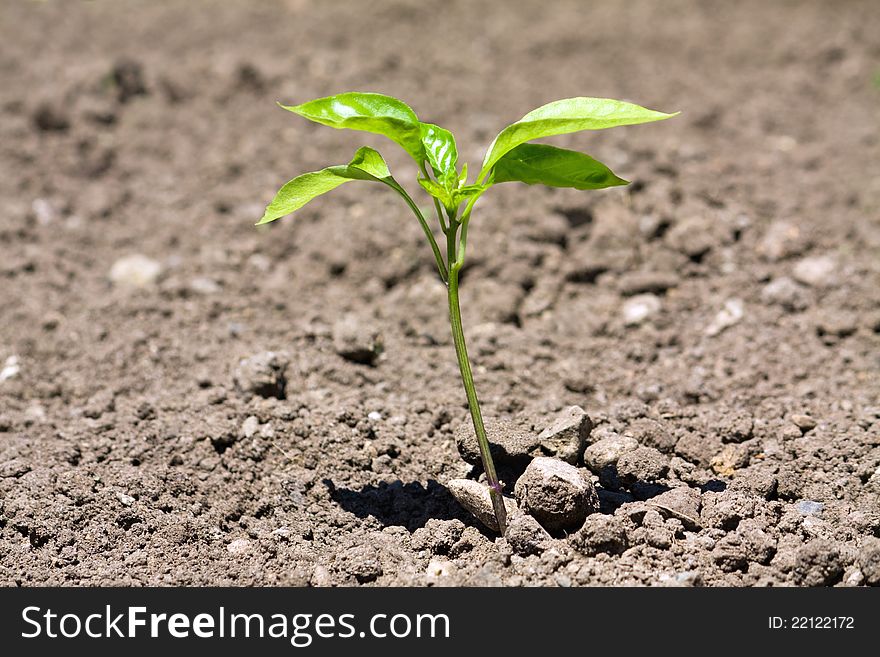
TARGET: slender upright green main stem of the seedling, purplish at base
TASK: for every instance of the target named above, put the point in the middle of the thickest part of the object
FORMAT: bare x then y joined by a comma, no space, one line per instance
467,379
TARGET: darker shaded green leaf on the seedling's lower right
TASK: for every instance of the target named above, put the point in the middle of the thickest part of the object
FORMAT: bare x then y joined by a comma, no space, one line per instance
540,164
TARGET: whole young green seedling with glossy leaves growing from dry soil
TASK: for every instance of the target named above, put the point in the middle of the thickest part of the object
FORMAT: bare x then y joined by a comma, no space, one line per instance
510,158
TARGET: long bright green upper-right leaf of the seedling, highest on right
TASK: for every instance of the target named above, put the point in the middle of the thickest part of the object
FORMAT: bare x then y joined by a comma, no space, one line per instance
564,116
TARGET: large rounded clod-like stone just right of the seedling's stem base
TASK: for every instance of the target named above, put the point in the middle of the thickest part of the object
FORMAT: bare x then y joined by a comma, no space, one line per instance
557,494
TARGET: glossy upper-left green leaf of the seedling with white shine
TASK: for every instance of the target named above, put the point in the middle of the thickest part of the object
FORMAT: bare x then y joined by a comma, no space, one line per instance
368,112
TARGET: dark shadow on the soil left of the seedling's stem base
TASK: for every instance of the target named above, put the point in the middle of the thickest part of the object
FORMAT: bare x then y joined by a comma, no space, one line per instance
408,505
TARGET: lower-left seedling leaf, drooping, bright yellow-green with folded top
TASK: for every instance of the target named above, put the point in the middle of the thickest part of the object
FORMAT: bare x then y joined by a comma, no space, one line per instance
366,164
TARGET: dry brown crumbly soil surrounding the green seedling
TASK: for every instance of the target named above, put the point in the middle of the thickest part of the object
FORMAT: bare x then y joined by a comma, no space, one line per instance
724,309
